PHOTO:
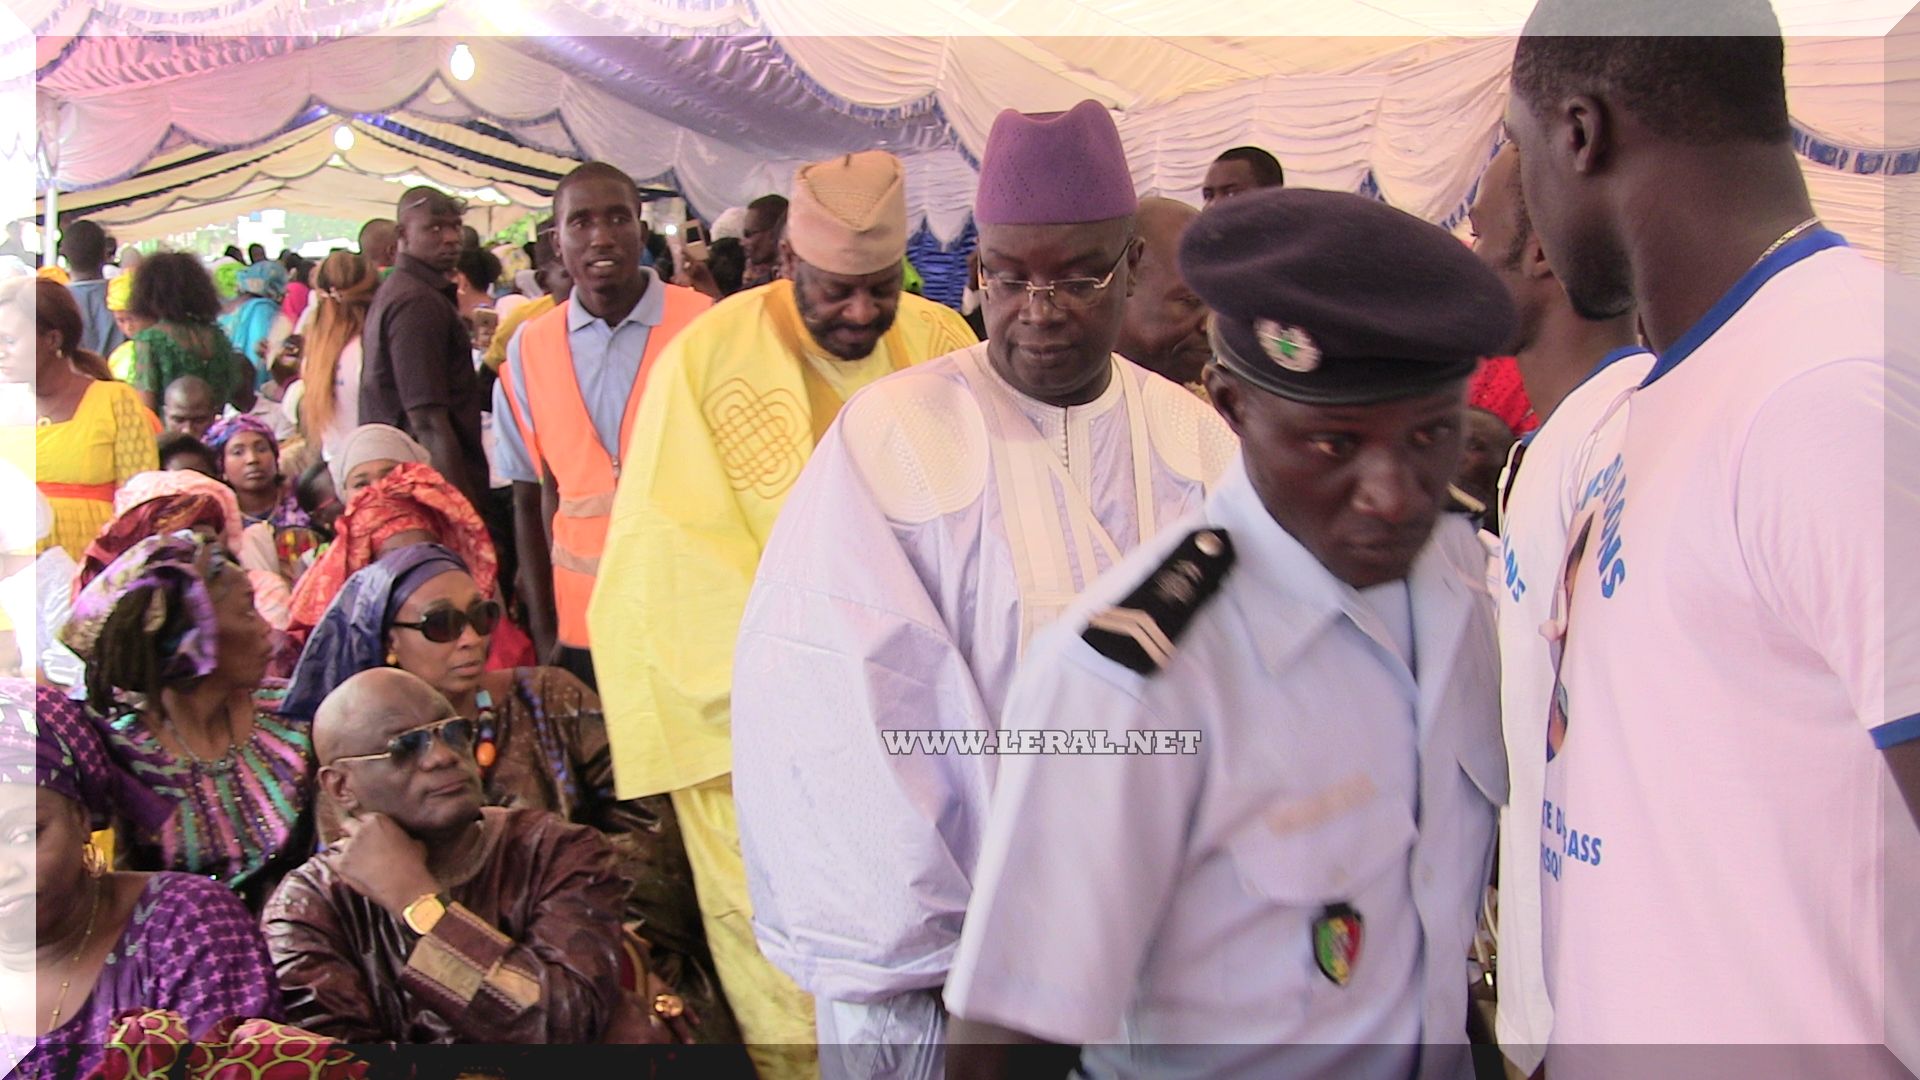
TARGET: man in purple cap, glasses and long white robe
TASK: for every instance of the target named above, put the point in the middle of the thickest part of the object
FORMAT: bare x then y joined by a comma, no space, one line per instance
953,512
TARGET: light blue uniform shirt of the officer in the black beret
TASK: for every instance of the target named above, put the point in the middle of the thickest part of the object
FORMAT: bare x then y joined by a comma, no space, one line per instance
1163,910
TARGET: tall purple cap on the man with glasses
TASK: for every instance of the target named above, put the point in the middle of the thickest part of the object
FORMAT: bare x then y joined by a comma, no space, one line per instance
1055,170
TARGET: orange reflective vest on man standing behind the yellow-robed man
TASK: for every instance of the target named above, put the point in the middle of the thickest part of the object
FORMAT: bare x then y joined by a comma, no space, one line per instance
560,435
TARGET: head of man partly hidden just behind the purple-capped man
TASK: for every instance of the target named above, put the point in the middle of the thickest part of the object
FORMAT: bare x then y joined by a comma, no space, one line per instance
1164,330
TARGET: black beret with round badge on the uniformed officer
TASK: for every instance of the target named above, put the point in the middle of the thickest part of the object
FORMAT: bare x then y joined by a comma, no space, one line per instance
1337,301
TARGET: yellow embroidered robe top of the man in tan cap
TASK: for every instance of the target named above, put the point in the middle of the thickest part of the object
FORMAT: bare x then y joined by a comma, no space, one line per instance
729,420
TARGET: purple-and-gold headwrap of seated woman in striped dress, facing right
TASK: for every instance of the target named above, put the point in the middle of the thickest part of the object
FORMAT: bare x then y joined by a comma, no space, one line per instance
178,568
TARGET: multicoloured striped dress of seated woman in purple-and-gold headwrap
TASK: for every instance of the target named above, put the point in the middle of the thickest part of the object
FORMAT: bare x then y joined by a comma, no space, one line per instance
241,820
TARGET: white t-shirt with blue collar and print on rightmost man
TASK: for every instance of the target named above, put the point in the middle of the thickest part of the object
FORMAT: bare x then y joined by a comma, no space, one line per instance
1725,848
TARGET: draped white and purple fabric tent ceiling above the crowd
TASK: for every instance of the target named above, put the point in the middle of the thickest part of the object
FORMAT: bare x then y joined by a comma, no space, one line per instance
723,99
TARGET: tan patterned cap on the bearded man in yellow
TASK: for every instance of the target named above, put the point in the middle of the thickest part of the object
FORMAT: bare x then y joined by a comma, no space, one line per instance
850,214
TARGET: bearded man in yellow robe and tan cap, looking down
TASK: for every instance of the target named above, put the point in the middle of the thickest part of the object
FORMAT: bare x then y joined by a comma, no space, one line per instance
732,410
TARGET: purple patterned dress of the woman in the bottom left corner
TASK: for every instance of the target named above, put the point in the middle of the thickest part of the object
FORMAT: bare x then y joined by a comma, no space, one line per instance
191,948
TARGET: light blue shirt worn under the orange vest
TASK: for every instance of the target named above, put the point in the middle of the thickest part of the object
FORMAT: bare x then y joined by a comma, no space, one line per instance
606,368
